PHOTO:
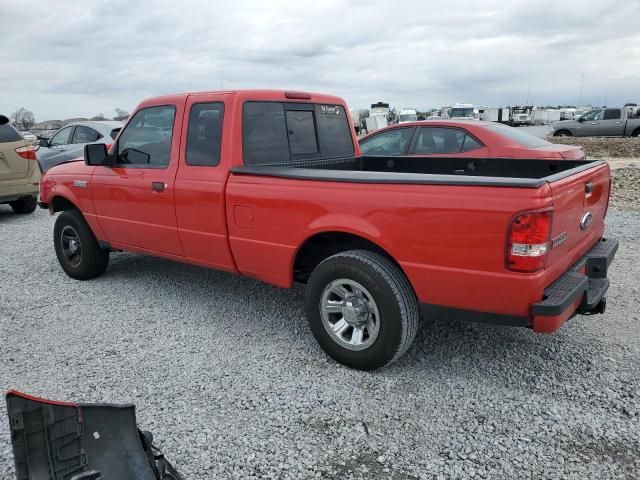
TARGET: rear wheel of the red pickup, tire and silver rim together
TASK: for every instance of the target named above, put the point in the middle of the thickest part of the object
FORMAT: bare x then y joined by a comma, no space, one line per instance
361,309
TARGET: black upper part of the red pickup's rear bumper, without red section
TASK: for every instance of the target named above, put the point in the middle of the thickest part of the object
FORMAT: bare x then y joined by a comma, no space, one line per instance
593,284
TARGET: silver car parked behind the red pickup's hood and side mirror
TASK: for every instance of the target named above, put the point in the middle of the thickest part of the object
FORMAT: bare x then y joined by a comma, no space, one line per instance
68,142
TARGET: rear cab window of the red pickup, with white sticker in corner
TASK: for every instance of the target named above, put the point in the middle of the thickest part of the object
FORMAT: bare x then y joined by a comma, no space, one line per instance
282,132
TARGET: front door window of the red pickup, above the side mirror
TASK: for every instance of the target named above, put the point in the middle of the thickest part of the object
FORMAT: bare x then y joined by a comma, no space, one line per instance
146,141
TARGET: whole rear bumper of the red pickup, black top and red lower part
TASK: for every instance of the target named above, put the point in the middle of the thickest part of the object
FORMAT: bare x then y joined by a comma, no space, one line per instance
581,289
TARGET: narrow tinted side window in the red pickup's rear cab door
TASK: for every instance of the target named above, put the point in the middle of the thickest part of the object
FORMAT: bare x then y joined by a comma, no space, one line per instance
204,134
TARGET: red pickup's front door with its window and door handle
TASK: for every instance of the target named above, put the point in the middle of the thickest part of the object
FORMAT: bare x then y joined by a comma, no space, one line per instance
134,197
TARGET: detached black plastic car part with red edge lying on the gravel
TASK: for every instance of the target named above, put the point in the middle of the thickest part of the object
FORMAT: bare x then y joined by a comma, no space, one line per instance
68,441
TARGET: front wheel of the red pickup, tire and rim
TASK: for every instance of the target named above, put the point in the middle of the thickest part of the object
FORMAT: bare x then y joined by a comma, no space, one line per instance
92,260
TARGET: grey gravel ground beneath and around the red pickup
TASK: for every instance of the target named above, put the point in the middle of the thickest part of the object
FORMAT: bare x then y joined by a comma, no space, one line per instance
225,373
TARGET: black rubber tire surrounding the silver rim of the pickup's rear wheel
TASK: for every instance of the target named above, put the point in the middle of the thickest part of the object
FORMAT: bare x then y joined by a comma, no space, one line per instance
395,299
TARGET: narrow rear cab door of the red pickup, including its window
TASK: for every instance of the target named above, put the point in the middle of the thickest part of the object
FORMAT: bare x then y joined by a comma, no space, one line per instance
200,182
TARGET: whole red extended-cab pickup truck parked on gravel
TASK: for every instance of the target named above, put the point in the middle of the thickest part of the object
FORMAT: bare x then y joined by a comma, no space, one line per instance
270,184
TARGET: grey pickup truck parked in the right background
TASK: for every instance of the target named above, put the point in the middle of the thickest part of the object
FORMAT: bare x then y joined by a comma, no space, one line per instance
601,122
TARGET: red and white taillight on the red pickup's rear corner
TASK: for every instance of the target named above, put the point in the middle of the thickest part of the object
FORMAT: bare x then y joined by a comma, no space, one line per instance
528,244
